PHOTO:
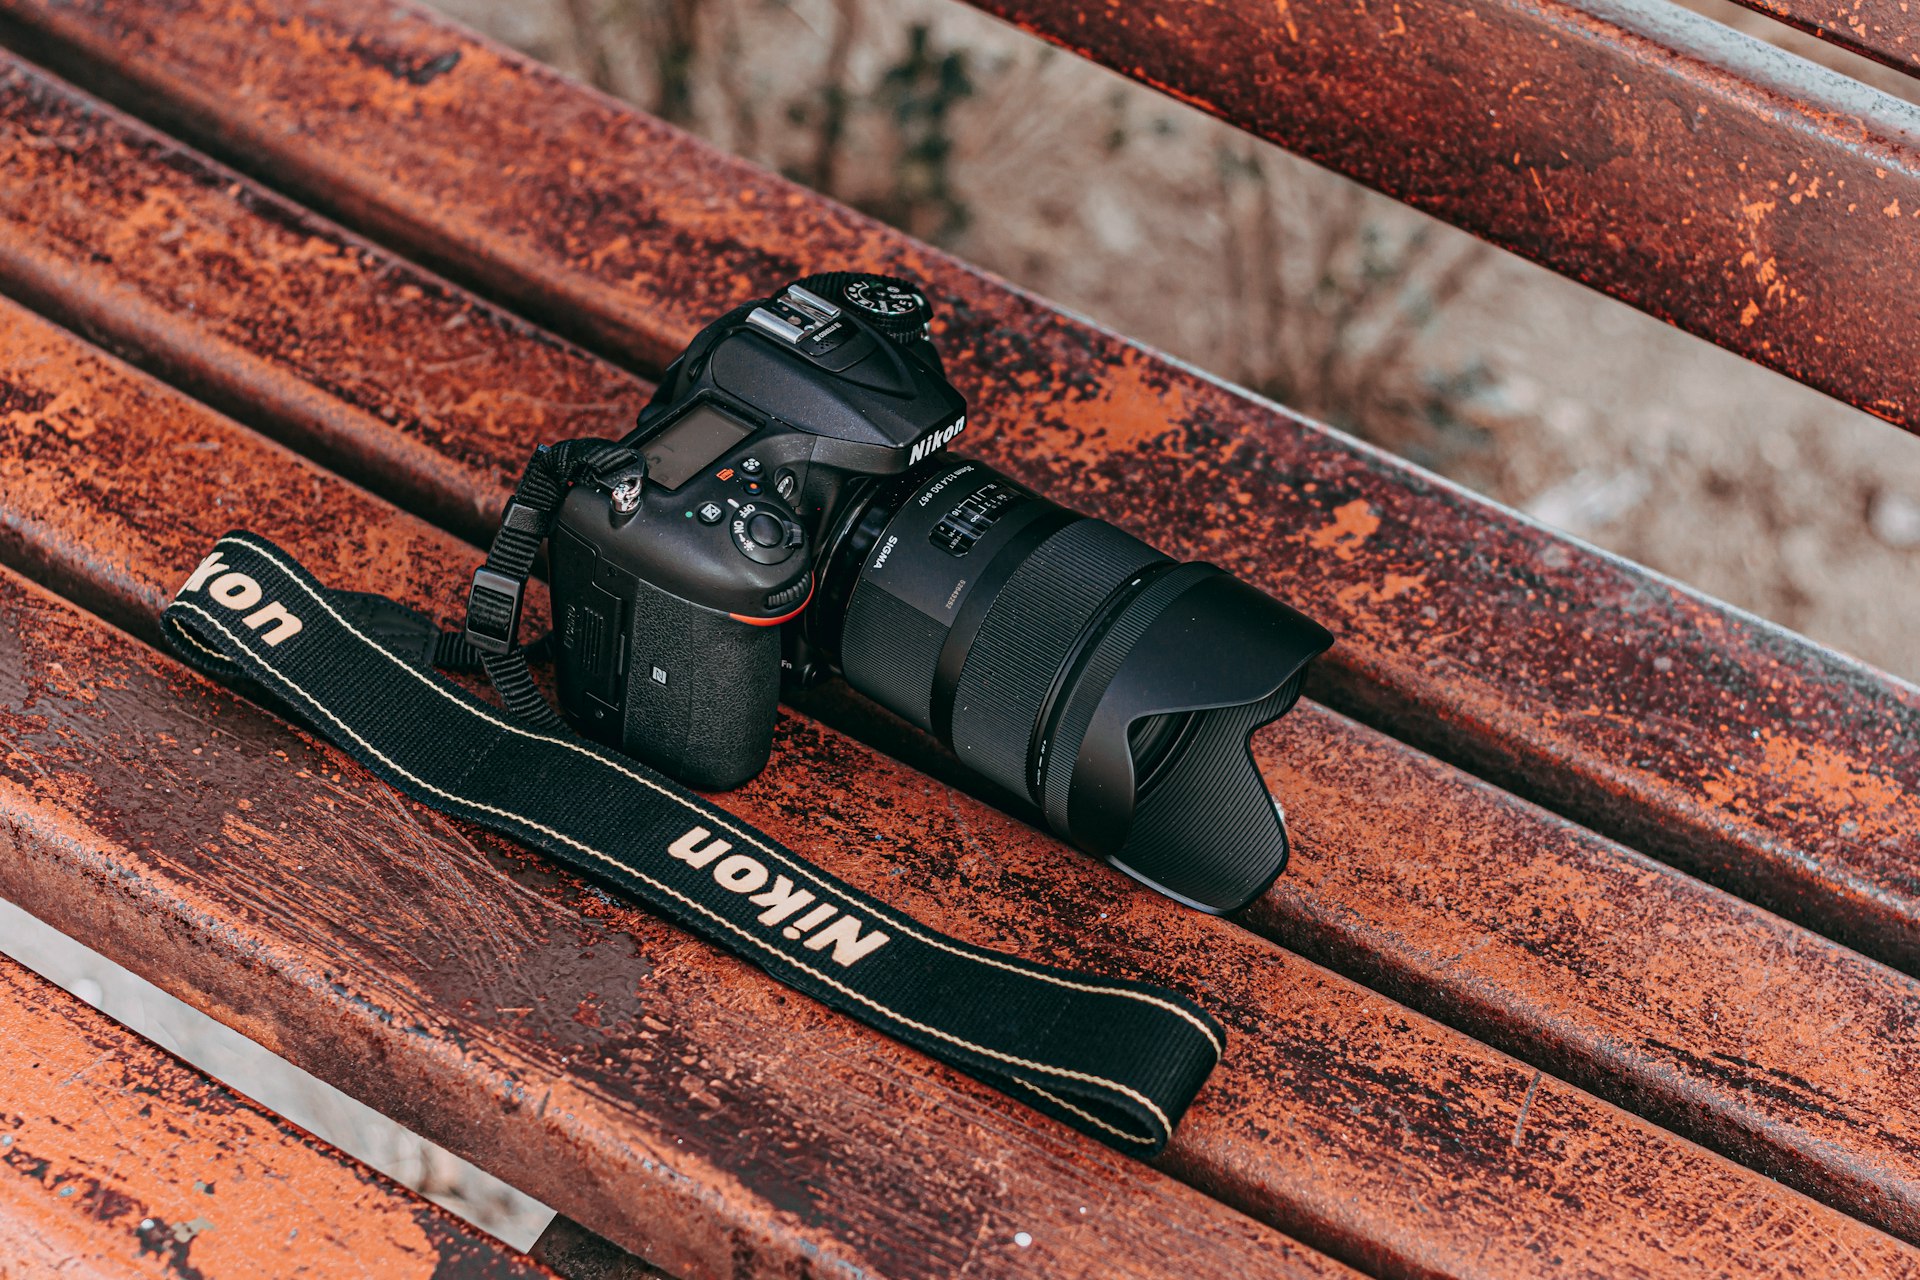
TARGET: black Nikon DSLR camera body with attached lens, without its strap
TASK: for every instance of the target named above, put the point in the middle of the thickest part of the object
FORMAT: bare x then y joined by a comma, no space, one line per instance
798,513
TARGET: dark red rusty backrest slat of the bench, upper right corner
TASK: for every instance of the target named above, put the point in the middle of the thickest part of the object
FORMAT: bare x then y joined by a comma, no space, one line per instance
1694,172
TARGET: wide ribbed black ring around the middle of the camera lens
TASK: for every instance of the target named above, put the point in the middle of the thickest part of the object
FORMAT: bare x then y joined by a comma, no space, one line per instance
1026,638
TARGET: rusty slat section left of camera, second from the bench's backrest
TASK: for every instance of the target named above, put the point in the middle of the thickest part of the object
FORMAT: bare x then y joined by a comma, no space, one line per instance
214,285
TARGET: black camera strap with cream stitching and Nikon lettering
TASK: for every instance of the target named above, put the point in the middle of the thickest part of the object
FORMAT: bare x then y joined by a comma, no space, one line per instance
1113,1058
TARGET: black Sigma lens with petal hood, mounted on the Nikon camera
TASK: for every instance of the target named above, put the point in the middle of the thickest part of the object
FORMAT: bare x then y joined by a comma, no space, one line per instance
1072,665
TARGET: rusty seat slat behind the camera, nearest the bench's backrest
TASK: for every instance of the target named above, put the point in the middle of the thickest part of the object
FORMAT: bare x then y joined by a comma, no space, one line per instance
1729,747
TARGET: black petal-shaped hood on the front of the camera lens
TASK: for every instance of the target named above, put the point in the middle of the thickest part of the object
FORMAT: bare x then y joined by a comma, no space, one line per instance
1232,659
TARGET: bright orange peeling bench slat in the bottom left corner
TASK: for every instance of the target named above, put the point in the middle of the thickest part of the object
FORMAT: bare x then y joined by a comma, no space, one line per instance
120,1160
